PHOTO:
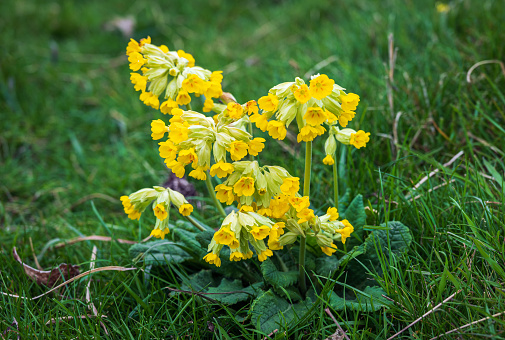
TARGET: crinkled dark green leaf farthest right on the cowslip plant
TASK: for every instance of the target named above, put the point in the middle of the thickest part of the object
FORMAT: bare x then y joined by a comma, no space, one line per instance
375,245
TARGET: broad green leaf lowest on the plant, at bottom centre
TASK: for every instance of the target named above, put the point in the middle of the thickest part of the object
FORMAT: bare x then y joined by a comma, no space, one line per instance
270,312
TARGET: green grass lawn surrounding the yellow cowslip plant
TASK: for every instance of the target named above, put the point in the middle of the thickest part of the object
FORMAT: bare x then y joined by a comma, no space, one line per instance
73,127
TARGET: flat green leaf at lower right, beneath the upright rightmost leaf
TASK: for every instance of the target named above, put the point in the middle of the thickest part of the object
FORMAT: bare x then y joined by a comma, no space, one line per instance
370,300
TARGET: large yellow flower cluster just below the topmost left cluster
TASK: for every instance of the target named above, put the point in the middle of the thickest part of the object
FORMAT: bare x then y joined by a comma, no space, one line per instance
193,138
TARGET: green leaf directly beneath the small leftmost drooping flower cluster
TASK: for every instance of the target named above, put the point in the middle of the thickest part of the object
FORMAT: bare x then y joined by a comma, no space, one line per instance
159,252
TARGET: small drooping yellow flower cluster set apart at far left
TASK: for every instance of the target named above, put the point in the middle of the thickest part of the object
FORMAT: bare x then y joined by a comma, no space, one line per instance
161,199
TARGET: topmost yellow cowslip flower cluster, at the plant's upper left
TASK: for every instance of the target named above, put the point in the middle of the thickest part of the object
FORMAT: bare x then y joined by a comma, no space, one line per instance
171,74
